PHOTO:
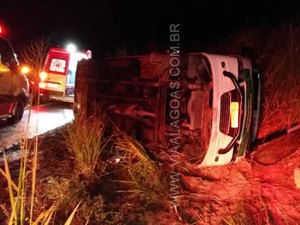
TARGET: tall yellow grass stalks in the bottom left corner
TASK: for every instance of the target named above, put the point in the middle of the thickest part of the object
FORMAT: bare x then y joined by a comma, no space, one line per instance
22,189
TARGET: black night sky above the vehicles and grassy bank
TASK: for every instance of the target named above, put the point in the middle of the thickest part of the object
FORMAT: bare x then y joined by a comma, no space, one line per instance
137,26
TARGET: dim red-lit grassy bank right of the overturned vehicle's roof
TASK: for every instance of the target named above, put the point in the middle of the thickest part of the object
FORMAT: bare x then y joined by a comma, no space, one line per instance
281,80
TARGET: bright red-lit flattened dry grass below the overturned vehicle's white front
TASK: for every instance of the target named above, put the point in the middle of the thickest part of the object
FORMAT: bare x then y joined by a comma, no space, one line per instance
241,194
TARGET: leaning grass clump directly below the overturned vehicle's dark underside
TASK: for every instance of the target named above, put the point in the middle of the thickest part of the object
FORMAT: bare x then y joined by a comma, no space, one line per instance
144,178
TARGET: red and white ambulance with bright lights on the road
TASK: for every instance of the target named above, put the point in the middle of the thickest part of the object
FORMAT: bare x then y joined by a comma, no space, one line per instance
57,80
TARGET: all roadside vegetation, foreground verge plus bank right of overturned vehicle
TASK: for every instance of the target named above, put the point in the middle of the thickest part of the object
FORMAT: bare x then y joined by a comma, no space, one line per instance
90,172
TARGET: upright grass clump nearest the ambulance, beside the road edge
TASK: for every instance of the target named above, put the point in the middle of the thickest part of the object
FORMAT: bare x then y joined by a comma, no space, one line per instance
86,141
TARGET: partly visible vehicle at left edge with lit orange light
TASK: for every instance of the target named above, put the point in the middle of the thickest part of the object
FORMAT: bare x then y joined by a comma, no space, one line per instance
14,86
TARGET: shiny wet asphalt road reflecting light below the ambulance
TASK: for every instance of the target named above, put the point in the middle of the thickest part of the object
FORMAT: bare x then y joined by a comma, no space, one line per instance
37,120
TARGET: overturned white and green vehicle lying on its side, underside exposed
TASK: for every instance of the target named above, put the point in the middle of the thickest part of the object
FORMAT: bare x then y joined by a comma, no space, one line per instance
205,106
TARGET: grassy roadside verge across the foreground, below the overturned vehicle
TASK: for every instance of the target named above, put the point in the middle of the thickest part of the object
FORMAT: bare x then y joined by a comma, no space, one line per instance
128,187
